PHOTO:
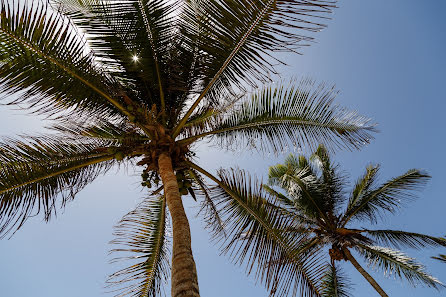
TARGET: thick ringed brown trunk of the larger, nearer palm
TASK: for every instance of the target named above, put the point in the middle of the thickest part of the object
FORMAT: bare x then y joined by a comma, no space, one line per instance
184,273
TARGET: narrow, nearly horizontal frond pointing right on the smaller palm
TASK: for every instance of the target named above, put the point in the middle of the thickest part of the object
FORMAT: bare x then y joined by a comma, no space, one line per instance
409,239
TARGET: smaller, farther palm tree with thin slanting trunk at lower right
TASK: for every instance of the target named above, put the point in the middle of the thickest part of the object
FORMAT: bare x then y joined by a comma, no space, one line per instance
312,199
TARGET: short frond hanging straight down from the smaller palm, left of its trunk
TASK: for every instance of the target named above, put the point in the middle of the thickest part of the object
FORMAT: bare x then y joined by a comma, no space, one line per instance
335,283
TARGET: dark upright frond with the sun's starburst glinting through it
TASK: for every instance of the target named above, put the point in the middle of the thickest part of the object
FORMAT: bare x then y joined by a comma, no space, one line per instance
138,42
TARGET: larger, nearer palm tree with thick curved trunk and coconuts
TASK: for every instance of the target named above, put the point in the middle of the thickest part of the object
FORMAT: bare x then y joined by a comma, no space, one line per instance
140,82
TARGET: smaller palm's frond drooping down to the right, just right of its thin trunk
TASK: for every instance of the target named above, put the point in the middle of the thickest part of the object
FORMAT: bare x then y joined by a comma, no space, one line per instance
395,263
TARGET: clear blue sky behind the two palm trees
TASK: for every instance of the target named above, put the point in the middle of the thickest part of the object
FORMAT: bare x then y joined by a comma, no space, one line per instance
388,60
